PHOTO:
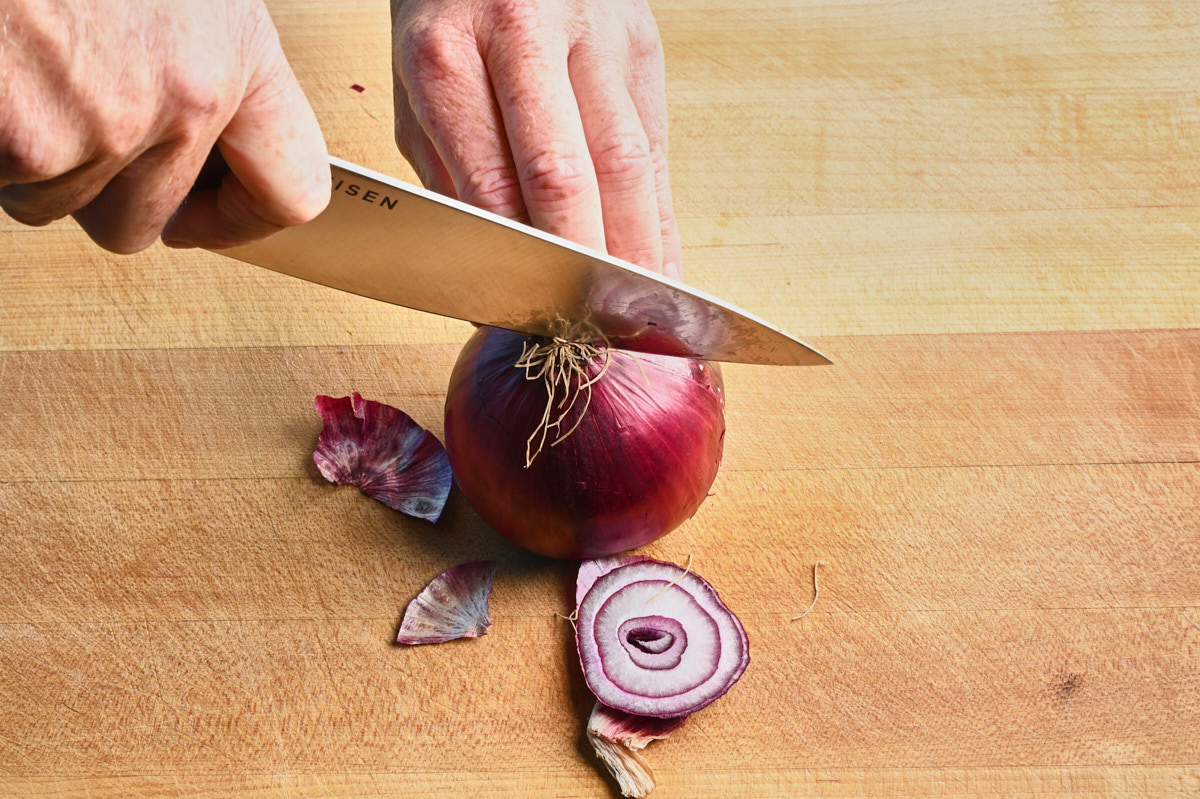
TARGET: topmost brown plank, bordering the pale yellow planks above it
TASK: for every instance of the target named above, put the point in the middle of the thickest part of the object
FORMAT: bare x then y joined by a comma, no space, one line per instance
886,404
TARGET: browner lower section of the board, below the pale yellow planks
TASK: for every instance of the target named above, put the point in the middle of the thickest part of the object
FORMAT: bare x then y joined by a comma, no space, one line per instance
1031,605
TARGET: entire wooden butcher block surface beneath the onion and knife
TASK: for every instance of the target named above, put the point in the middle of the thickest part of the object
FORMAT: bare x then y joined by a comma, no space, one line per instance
986,214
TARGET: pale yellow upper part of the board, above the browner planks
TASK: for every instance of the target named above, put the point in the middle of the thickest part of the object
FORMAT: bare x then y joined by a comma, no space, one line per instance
917,167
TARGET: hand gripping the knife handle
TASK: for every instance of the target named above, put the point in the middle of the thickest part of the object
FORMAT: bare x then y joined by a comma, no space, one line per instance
110,110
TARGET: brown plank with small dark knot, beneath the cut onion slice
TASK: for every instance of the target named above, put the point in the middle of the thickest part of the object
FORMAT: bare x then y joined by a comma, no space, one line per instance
845,692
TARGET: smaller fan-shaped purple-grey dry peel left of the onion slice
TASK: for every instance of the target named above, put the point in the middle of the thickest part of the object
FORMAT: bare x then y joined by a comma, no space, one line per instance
453,606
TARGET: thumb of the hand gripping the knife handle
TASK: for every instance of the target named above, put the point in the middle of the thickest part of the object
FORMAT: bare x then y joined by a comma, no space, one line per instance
279,167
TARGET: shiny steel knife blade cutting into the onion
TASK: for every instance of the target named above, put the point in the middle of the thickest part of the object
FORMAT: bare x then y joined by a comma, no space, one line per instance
401,244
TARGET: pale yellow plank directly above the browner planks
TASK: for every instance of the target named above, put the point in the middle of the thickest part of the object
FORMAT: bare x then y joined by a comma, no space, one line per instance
814,277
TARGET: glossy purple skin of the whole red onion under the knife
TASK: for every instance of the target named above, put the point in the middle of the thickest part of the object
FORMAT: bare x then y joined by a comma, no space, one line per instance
640,464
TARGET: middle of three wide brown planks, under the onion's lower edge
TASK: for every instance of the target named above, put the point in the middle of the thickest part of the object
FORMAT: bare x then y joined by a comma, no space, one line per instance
977,540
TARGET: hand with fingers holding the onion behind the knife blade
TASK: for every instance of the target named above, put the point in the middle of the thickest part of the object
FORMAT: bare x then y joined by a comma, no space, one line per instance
550,112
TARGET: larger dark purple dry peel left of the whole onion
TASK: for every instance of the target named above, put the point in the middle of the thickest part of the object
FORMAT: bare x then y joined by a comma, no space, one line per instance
385,453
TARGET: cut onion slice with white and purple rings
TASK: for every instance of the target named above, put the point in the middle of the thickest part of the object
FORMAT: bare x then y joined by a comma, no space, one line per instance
656,640
